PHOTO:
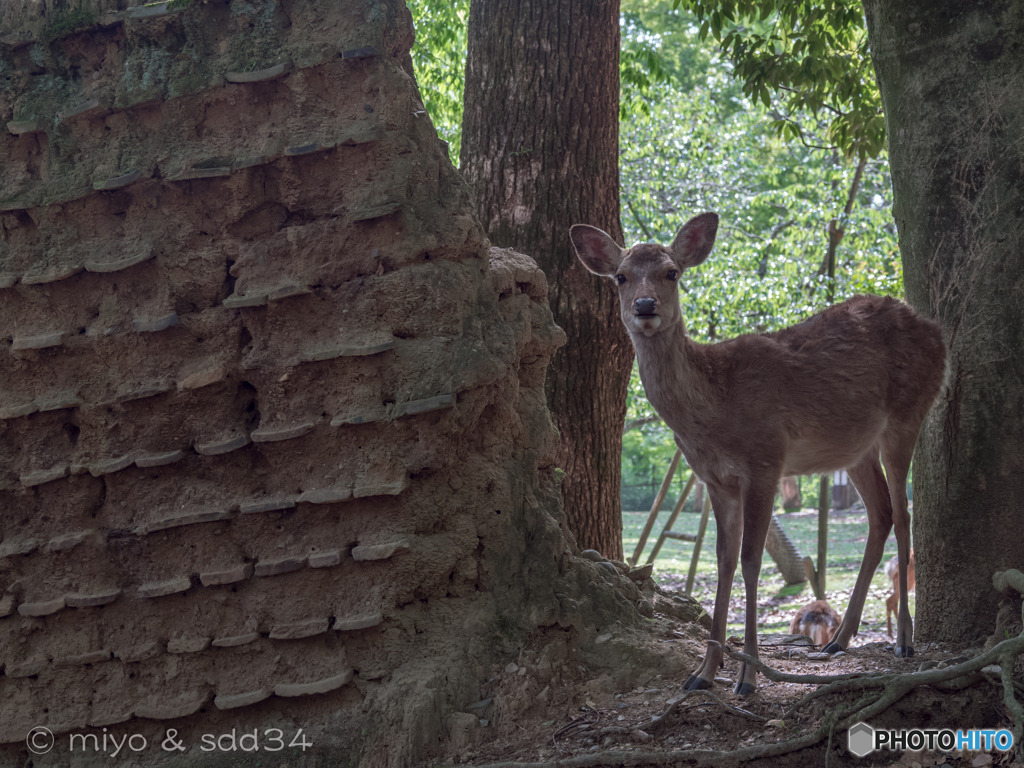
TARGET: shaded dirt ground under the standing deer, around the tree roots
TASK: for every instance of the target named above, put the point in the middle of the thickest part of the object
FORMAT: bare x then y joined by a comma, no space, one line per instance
584,726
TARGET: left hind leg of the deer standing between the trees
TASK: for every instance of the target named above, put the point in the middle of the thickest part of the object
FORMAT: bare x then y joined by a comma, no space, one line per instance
868,477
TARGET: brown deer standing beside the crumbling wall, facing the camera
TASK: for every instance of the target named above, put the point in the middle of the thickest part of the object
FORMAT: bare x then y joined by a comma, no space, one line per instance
847,389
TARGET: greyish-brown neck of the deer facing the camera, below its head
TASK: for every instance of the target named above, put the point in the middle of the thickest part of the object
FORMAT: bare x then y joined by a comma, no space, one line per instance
676,376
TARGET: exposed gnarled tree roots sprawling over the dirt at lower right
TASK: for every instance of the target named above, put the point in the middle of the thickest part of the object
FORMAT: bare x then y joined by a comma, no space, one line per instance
879,694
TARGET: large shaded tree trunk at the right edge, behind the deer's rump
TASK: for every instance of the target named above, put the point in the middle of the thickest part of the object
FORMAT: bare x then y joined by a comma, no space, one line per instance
952,76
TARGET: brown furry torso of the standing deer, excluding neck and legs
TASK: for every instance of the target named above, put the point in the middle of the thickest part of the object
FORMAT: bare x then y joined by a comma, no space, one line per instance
821,393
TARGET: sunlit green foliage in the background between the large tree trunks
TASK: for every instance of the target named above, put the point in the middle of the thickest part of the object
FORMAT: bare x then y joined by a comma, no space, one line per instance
767,134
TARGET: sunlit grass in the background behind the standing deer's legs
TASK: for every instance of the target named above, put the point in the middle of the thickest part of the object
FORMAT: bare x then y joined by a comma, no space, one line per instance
777,604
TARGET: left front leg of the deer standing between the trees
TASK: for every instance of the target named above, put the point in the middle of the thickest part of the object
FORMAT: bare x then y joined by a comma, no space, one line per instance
730,523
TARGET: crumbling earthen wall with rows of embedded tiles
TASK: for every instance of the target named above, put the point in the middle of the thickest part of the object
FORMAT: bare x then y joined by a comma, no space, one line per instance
273,431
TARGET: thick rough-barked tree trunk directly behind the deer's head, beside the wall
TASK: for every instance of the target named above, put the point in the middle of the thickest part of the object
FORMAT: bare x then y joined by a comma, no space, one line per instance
541,151
